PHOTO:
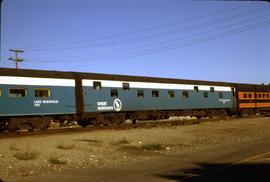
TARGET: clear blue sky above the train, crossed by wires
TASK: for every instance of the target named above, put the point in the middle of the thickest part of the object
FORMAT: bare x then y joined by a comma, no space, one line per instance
202,40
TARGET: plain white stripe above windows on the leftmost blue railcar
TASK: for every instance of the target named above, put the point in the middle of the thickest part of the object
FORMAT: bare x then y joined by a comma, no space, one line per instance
14,80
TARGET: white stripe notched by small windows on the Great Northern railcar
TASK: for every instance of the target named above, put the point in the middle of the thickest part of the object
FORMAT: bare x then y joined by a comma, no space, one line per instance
149,85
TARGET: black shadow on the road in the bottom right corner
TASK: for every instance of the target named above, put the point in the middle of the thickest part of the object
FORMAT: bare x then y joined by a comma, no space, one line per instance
248,172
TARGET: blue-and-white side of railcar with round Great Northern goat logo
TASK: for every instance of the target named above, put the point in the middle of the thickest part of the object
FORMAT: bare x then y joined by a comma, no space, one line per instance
111,95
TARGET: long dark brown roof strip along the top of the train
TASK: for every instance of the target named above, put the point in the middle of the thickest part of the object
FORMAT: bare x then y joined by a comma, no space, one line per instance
99,76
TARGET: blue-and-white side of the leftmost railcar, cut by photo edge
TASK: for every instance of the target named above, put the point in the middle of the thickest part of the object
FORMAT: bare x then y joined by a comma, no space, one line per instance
26,96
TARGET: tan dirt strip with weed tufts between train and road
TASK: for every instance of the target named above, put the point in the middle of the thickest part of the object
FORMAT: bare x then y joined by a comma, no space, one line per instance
37,155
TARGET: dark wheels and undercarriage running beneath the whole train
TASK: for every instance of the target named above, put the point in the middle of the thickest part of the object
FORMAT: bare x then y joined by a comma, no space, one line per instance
32,123
